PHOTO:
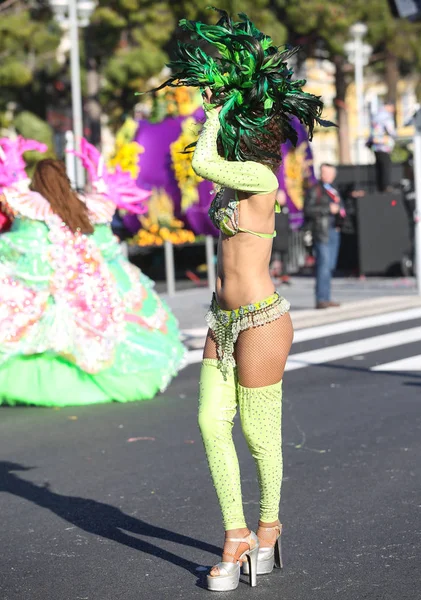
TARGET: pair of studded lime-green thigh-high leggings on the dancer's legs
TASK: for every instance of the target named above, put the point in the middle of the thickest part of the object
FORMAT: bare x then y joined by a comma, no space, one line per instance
261,414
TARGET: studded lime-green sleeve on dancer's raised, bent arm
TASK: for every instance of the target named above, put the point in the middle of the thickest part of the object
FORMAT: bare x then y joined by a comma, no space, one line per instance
247,176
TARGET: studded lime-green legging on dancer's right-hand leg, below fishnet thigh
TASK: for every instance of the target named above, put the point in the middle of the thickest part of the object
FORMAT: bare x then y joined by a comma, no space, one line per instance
261,419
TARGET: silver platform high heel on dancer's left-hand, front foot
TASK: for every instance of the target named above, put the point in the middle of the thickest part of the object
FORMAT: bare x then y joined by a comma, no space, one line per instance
229,572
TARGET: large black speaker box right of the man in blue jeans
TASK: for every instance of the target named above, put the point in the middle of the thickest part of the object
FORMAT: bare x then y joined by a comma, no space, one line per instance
383,233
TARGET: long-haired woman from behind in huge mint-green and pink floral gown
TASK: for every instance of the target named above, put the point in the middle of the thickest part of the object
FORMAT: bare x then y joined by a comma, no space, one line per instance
78,323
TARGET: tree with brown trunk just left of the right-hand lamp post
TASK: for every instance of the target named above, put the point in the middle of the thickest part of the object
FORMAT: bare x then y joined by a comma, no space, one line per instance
396,43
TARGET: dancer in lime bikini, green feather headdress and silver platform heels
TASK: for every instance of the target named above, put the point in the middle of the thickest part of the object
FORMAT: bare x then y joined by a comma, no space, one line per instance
250,97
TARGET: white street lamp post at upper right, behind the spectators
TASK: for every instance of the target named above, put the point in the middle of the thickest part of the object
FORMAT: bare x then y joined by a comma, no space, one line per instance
358,55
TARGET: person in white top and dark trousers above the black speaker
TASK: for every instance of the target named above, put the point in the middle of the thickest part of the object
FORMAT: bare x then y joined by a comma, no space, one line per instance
382,142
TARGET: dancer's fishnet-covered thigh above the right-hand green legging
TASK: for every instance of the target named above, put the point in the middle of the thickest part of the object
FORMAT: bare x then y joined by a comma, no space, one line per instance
261,352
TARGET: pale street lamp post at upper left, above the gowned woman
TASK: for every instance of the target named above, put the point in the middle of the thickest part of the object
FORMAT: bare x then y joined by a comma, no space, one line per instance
72,14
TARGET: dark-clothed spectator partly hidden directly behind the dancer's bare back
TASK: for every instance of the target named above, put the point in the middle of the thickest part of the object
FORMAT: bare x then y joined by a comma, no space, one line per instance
279,260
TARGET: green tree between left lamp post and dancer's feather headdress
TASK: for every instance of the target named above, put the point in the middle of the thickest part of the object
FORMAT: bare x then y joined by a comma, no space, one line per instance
132,40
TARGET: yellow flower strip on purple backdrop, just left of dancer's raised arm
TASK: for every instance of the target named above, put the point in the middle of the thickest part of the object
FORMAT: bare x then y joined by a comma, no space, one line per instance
181,163
